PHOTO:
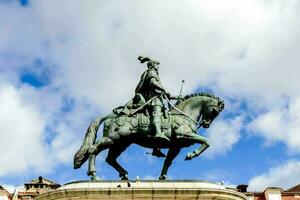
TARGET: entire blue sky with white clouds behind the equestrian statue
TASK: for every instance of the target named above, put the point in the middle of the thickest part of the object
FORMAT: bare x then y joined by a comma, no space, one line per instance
63,63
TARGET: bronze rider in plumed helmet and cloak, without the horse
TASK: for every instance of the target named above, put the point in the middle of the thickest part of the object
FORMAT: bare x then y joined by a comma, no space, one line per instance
149,95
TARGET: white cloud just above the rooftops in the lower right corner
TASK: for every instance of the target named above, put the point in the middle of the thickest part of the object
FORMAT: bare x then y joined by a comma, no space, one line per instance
285,175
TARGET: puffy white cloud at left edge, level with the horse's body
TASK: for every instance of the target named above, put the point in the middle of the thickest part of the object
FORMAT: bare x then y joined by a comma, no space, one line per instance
21,135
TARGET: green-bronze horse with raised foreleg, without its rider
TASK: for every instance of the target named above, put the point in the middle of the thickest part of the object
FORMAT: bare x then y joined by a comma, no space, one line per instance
180,125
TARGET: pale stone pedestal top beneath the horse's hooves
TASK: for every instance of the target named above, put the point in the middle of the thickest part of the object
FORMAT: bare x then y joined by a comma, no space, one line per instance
141,190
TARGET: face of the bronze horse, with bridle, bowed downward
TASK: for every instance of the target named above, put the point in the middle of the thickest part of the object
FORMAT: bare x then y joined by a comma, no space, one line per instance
210,111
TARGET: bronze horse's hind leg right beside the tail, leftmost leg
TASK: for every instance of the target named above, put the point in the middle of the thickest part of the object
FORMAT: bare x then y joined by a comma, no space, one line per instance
95,149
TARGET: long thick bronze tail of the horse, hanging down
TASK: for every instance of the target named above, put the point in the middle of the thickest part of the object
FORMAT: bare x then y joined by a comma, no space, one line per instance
89,139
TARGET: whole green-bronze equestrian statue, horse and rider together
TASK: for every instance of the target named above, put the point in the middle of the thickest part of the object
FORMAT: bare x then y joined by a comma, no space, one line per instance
141,121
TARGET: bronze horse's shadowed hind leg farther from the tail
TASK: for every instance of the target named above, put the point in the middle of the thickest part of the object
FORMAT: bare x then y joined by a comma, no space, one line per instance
113,153
